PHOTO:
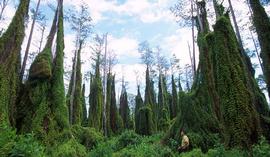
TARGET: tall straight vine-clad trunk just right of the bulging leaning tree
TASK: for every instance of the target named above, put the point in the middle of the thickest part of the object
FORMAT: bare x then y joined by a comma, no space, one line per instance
58,107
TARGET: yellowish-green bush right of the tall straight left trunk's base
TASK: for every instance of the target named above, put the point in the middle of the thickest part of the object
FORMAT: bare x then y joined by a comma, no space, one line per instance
88,137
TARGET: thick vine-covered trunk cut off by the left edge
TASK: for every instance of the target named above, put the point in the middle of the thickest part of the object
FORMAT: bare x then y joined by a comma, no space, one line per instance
10,63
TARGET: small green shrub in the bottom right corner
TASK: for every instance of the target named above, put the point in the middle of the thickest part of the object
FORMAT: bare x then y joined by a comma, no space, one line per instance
262,149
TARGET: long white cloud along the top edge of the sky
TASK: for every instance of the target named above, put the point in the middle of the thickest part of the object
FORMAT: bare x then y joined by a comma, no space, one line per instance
147,12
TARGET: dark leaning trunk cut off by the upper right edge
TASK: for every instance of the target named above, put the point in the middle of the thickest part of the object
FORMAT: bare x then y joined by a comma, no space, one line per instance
261,22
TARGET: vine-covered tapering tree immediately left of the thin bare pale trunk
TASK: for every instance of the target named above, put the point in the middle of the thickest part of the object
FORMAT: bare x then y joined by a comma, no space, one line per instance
95,98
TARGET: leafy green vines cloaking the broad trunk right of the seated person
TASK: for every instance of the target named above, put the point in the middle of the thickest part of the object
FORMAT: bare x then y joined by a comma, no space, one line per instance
240,117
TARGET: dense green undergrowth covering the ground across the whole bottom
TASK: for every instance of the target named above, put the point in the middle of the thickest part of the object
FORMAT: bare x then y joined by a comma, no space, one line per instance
85,142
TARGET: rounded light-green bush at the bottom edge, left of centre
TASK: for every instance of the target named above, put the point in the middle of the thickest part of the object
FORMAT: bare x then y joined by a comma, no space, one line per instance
71,148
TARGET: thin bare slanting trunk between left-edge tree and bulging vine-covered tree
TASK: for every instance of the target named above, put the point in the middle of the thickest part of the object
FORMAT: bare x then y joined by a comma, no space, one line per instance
29,43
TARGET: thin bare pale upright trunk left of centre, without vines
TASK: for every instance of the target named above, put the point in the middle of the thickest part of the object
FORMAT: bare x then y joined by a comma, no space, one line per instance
105,89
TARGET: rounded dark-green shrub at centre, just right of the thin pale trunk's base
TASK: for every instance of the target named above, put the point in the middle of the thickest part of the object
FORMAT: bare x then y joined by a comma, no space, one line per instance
128,138
